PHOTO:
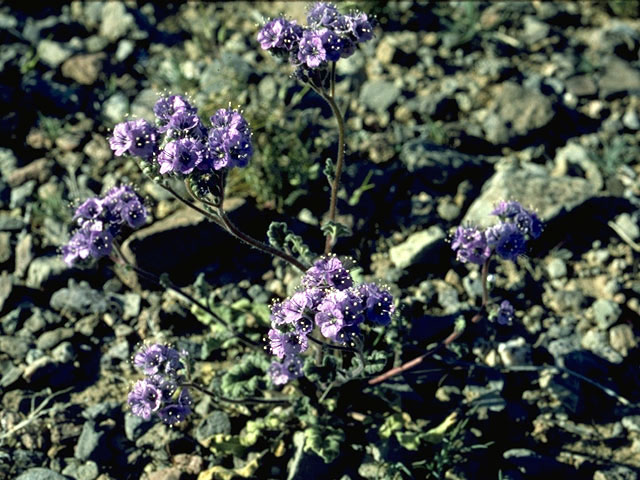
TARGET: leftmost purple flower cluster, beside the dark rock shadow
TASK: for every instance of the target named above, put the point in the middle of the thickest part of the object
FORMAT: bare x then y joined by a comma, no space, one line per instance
100,220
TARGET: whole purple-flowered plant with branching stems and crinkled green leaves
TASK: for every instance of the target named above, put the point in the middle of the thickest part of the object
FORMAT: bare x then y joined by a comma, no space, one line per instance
334,338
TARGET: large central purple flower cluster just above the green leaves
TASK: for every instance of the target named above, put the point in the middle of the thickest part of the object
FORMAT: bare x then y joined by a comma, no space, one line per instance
330,302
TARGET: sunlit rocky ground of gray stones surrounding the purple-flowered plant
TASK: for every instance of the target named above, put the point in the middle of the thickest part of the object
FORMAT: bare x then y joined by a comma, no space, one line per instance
452,107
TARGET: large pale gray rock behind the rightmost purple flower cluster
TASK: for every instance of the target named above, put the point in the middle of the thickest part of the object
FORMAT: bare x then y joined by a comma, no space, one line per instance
533,186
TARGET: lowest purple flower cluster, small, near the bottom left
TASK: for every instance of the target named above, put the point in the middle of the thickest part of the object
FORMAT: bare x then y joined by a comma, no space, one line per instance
160,391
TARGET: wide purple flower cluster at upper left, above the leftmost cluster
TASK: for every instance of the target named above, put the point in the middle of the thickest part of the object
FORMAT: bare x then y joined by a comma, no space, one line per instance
180,143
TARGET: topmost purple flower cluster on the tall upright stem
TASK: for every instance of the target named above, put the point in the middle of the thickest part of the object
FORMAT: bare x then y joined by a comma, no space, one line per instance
328,36
